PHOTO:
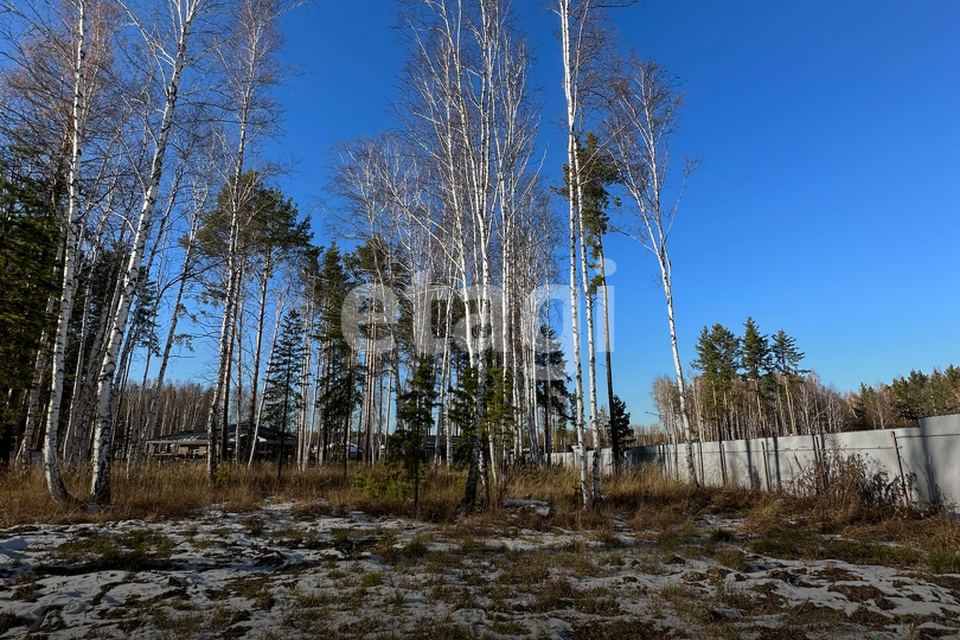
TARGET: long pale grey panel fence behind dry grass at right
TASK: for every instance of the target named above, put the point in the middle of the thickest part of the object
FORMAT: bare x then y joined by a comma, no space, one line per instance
918,465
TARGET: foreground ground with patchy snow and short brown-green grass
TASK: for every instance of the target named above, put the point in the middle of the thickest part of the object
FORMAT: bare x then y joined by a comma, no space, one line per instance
282,572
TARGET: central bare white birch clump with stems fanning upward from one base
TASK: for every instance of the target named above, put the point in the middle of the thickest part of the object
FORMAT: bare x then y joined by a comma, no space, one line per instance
457,113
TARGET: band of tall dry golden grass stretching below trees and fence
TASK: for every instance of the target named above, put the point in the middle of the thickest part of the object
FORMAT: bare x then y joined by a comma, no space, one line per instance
644,498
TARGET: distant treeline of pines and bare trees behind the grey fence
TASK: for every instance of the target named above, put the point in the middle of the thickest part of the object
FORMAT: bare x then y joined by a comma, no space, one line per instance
752,385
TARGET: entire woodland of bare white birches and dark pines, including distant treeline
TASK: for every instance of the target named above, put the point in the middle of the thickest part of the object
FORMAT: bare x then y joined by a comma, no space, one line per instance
141,221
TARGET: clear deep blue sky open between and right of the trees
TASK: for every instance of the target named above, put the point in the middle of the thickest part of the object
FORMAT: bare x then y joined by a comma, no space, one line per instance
829,201
